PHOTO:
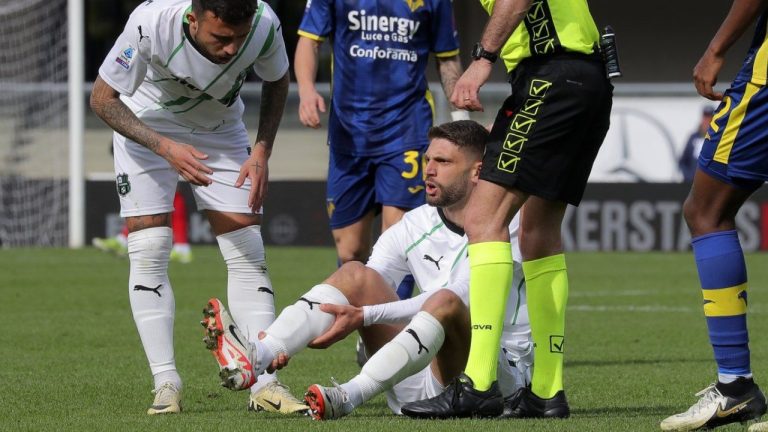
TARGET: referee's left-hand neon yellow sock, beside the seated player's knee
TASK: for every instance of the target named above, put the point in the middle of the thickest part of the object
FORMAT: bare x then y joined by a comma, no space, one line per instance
490,276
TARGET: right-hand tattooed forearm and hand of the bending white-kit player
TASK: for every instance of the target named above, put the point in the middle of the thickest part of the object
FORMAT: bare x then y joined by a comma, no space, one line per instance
273,96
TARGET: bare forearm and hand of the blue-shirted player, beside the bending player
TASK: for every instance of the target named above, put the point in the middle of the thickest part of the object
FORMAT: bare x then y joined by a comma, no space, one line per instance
305,66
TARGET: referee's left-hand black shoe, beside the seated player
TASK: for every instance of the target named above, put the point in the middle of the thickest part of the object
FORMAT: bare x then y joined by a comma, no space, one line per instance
459,400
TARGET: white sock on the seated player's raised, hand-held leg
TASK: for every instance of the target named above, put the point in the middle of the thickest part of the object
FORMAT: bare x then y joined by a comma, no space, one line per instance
301,322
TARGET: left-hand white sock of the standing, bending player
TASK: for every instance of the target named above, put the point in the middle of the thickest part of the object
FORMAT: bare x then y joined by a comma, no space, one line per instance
151,296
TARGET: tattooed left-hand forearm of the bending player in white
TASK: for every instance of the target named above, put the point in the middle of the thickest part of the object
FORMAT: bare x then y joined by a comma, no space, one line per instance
106,103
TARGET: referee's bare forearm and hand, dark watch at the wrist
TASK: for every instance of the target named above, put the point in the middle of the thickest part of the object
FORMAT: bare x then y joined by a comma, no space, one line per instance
507,15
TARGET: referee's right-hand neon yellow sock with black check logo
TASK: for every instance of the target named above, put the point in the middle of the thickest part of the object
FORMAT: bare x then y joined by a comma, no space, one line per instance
546,282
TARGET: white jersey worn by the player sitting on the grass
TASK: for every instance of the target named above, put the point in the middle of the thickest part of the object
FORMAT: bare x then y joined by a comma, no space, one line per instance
429,247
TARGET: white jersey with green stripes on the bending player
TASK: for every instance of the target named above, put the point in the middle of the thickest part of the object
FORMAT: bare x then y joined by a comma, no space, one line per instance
169,84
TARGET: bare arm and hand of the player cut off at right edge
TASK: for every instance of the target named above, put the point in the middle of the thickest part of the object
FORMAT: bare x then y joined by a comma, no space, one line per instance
741,15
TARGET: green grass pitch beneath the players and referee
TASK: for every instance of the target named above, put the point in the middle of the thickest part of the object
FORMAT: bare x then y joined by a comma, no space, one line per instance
637,345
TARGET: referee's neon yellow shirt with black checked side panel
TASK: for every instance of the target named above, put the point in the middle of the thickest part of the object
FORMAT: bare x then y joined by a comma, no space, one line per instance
549,27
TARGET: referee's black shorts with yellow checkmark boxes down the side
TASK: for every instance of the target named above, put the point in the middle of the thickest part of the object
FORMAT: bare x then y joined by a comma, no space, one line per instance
547,133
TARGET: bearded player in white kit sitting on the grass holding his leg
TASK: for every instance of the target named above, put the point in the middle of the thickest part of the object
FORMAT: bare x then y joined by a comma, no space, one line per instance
414,361
